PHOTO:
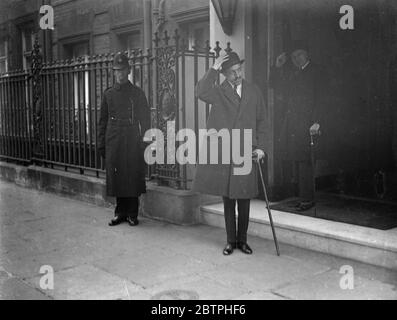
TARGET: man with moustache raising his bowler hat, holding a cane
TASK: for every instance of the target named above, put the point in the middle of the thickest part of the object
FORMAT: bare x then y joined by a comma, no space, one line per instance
236,104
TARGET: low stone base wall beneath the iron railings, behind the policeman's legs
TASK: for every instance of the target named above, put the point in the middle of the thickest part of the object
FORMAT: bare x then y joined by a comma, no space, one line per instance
162,203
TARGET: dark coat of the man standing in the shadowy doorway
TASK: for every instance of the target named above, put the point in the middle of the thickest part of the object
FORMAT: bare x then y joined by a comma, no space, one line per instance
305,103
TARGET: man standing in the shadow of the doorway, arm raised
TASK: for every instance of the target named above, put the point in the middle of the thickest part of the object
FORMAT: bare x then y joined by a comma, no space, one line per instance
302,83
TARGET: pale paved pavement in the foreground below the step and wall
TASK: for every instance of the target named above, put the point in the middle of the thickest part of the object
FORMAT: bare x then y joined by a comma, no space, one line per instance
53,247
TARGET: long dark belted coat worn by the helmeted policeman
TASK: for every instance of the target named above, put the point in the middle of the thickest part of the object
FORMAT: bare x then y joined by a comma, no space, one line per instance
121,141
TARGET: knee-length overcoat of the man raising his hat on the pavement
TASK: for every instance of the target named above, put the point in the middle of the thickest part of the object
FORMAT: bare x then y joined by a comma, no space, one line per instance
229,113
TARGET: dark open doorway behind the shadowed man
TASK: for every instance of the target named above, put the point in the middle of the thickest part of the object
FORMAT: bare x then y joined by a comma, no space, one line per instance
356,153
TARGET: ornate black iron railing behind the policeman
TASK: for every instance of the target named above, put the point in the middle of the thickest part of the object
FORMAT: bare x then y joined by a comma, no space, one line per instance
49,114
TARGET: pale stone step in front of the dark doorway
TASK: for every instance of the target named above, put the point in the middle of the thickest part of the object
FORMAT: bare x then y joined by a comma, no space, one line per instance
368,245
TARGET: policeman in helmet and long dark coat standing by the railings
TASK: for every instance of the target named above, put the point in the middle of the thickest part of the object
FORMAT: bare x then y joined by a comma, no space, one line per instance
124,118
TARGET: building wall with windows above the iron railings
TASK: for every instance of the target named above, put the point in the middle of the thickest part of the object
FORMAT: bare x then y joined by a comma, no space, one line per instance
96,27
